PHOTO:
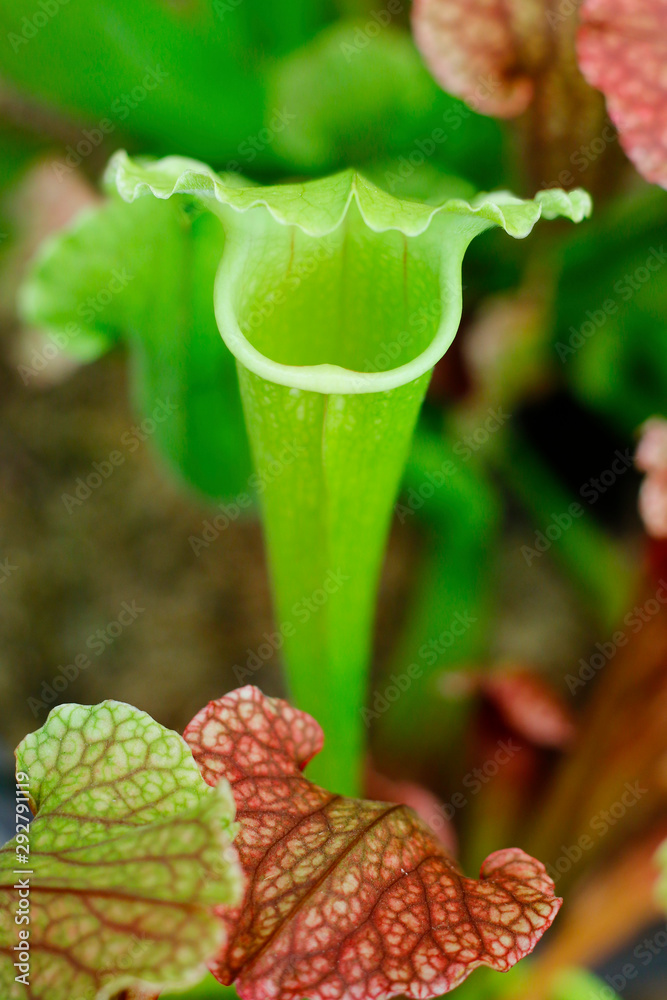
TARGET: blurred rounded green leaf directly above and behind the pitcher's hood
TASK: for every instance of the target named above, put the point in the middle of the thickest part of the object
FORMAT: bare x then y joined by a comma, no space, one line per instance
359,97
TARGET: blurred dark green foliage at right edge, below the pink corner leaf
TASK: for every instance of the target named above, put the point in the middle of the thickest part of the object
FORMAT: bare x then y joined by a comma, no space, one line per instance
610,324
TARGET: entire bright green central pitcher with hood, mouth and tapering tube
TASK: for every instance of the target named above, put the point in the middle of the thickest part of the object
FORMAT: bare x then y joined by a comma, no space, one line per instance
336,300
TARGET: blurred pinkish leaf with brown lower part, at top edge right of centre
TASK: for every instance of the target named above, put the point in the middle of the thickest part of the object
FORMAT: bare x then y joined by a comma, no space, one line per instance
517,57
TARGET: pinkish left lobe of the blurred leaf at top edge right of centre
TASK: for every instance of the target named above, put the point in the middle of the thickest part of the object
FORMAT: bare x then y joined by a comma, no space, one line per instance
477,49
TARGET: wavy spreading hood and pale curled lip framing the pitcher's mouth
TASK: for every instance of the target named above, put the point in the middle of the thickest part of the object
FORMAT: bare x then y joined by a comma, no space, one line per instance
319,208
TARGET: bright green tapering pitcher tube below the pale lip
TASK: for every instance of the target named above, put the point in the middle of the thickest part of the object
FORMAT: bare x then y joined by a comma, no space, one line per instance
326,518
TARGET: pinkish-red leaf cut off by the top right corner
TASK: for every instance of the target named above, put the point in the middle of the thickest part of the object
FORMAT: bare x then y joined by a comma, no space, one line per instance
622,49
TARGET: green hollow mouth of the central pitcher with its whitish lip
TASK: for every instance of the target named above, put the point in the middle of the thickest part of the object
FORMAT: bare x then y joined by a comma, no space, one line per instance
353,311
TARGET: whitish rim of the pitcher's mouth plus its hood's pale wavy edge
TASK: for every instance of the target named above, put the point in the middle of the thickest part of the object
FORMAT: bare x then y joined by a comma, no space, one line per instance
327,378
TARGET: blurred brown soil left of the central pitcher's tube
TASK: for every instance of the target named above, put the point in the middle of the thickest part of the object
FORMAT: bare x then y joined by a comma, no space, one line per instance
128,542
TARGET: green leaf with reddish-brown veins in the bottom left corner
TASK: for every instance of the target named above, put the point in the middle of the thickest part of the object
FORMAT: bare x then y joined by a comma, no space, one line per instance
128,855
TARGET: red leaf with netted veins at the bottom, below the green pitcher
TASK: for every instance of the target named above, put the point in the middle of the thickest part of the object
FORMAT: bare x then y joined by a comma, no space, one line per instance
349,898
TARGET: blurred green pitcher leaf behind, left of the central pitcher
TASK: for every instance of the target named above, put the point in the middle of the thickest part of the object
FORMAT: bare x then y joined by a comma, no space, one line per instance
143,274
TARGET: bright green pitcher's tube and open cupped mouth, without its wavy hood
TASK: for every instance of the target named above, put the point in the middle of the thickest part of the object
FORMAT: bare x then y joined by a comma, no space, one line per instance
330,457
